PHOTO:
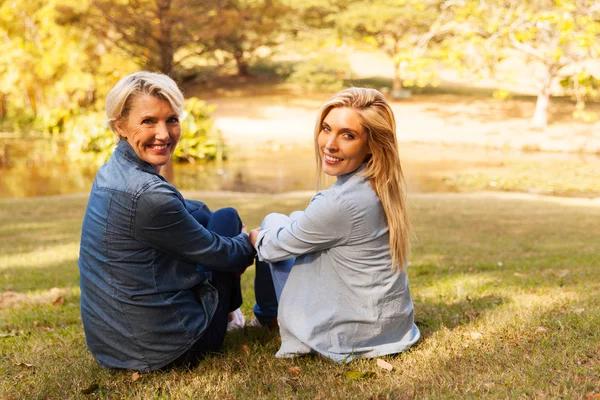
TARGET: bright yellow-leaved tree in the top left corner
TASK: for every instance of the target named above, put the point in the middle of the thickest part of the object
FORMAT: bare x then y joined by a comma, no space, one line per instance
45,66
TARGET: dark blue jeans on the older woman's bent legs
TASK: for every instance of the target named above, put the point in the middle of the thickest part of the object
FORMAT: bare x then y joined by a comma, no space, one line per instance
224,222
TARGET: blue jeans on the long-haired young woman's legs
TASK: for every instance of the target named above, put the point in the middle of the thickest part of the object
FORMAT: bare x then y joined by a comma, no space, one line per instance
268,284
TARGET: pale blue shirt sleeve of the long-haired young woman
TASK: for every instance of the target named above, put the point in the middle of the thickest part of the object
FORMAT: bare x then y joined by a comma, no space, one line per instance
326,223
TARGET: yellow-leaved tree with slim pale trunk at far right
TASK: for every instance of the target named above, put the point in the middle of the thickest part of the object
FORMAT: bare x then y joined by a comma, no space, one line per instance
554,34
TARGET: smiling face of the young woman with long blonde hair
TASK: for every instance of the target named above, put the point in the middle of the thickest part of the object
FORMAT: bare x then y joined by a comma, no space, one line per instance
342,142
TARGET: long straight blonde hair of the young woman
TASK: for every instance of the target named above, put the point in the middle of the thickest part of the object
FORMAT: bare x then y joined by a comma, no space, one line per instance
383,168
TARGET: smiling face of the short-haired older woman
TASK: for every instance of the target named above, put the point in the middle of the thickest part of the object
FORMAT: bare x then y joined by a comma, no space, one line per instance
152,129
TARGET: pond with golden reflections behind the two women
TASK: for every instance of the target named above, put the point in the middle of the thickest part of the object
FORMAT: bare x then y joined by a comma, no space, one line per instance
30,168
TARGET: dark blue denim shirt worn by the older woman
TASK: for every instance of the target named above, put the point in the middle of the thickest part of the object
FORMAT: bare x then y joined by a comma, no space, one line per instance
143,302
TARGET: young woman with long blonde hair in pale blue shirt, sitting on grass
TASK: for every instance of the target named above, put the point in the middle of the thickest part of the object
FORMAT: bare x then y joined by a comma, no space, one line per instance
338,267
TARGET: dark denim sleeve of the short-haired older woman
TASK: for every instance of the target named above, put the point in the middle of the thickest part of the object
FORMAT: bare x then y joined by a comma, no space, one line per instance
163,222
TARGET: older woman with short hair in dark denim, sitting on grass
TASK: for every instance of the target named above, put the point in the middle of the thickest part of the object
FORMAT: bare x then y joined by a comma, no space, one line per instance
159,273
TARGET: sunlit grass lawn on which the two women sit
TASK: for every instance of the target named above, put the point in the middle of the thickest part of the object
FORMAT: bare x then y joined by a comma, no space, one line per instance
505,290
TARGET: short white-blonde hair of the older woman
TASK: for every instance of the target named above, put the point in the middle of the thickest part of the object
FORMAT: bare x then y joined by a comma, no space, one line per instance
120,97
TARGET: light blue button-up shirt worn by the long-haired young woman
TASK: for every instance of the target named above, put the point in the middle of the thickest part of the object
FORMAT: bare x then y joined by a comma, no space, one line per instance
342,299
